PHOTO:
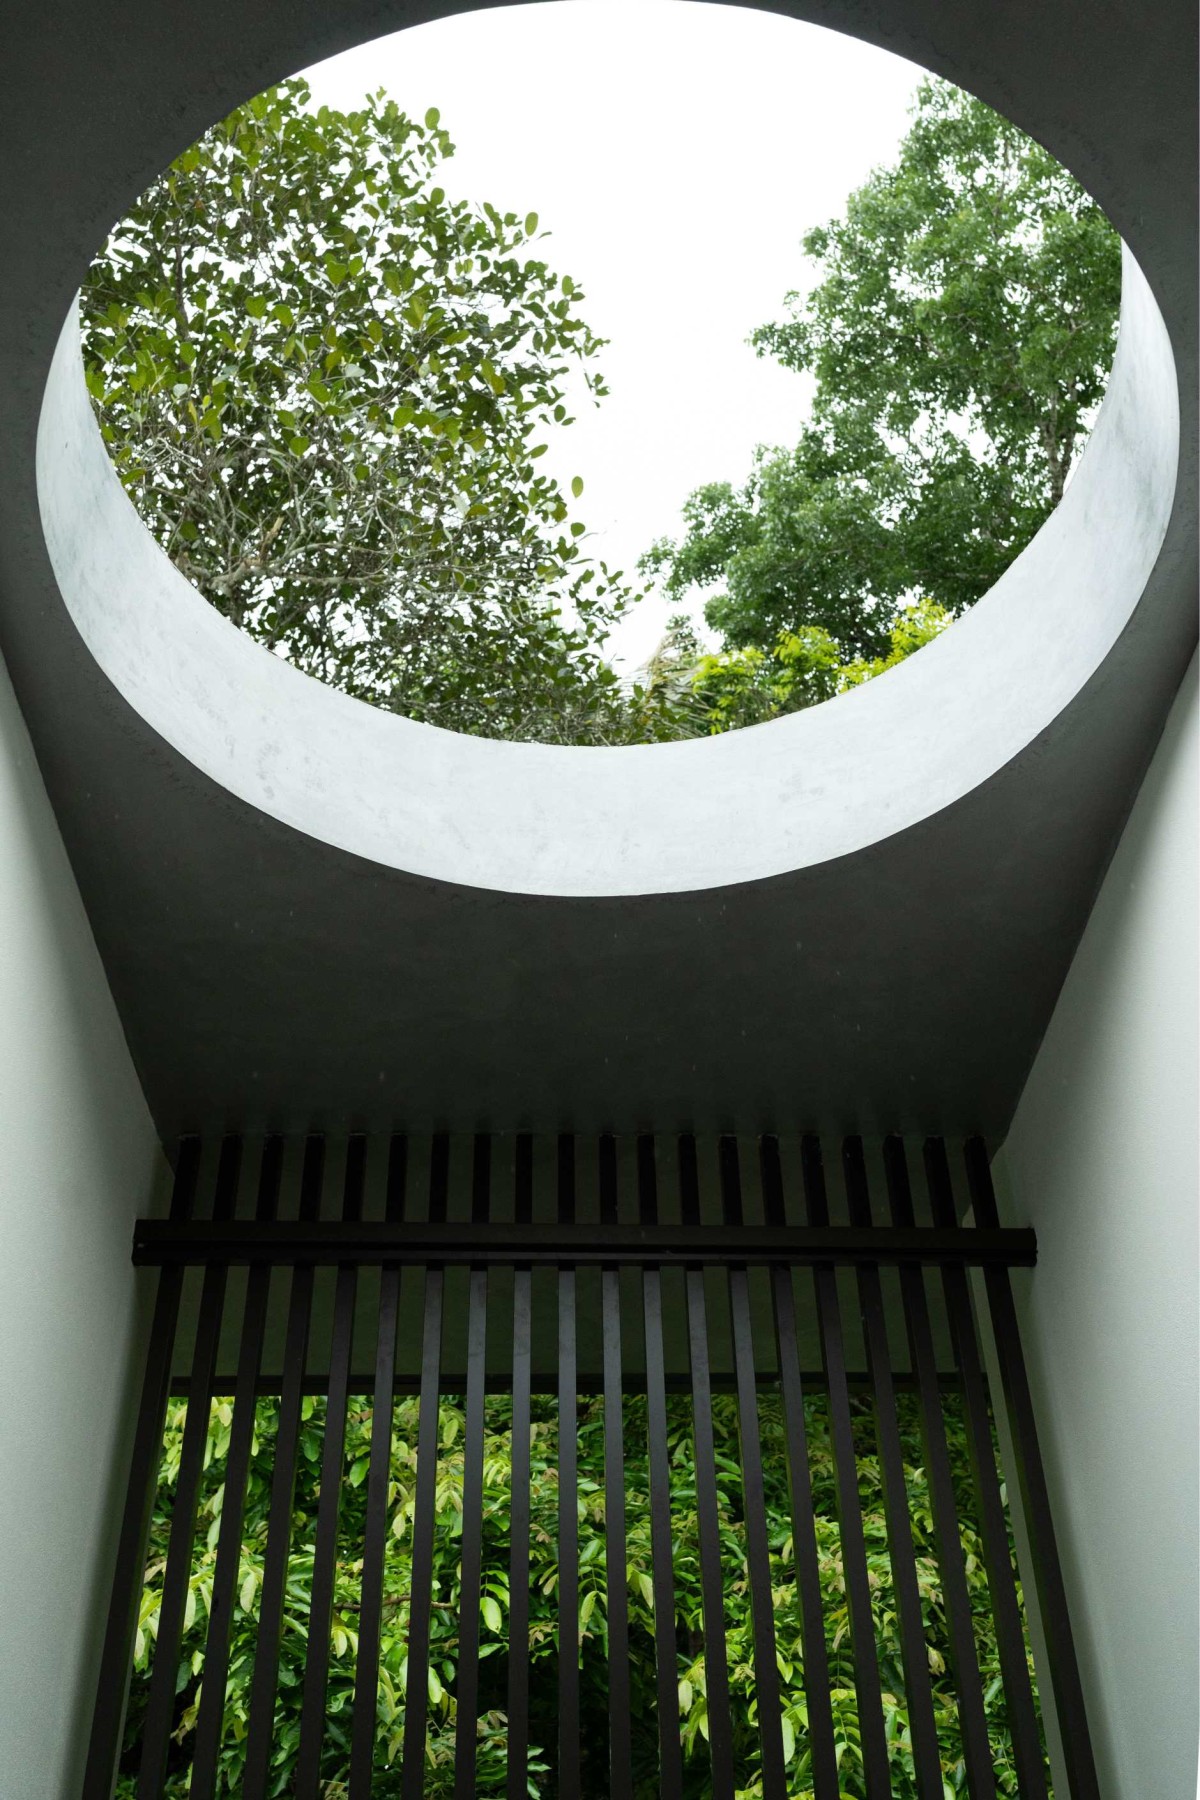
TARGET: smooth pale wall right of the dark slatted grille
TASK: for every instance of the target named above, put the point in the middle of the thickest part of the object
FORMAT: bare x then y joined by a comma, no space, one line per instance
1102,1158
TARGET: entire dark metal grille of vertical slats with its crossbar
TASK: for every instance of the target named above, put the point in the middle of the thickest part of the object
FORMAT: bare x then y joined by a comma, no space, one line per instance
650,1227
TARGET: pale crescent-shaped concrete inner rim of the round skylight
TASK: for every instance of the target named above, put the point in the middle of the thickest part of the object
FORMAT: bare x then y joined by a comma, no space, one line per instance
674,818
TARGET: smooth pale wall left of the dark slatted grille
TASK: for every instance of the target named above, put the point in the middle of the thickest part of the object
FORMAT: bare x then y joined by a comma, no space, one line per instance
78,1162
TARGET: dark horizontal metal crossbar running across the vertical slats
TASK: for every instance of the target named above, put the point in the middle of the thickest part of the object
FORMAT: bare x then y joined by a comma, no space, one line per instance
163,1243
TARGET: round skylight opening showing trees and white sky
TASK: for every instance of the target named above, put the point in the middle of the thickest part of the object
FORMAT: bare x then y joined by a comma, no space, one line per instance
602,375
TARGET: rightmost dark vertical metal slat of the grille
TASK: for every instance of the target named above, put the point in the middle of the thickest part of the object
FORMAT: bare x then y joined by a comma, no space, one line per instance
1070,1704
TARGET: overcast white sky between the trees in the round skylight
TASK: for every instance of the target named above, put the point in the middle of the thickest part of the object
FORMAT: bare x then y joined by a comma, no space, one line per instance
677,154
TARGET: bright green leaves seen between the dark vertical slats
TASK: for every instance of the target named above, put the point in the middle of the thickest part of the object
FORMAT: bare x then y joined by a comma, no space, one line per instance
492,1743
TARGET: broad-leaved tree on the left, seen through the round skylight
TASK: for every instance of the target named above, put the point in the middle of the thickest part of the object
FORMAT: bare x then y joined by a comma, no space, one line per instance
328,390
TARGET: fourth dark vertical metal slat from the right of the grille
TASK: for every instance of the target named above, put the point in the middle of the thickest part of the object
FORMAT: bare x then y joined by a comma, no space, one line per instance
913,1646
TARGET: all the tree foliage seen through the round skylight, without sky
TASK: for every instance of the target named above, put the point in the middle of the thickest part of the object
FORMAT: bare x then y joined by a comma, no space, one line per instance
328,390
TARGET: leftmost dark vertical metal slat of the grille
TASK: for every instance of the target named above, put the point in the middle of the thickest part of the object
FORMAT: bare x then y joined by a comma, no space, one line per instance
147,1453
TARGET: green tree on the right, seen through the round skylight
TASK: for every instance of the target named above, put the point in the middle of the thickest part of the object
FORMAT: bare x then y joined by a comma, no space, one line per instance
958,337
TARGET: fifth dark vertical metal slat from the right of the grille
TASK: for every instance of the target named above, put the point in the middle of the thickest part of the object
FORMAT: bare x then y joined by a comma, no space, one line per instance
850,1511
